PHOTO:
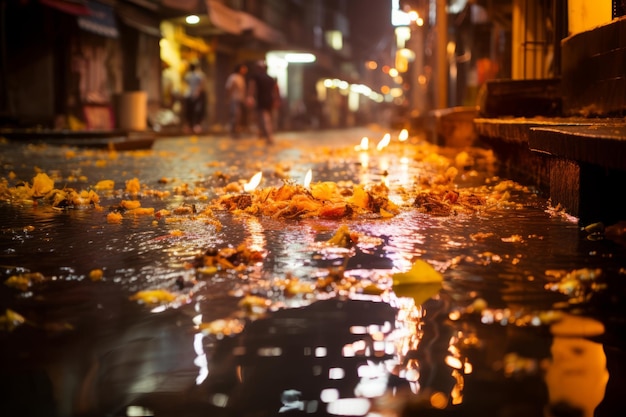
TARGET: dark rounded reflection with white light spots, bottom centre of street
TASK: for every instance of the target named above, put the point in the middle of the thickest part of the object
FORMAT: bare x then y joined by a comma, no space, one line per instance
293,360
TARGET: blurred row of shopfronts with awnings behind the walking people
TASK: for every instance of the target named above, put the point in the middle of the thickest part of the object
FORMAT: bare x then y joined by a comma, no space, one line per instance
72,64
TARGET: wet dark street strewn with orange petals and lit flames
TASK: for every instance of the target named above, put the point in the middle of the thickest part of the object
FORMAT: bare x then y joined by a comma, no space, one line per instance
386,277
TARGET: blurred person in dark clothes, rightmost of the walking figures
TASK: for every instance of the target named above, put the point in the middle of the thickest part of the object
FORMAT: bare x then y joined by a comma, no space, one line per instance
263,92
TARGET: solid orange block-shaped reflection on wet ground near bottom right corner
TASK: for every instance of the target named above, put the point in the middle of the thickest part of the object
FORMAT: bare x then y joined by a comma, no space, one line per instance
577,374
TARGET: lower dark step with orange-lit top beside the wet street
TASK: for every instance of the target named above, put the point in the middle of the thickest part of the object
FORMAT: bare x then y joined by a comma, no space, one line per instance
580,163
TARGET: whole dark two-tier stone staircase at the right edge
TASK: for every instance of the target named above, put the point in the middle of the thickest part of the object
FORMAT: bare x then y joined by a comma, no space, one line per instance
567,136
